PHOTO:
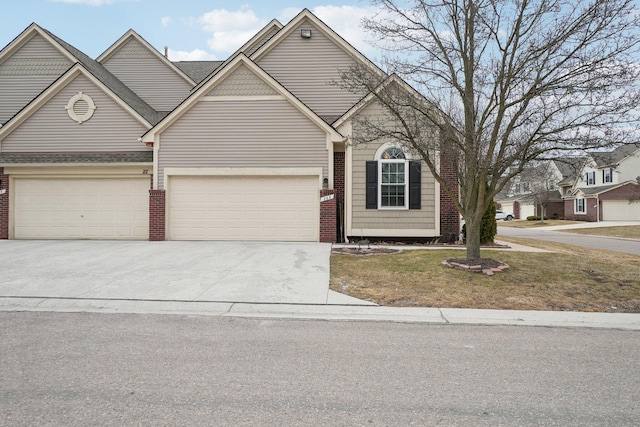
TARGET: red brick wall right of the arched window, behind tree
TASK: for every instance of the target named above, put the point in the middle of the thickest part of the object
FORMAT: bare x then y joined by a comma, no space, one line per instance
449,216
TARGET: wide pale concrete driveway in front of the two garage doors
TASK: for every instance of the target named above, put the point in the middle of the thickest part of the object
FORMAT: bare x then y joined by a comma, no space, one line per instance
252,272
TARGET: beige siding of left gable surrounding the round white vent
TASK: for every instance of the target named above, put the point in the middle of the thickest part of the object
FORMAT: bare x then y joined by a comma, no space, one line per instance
50,129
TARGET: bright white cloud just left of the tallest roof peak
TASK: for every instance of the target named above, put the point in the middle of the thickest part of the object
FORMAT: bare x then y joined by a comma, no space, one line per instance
230,29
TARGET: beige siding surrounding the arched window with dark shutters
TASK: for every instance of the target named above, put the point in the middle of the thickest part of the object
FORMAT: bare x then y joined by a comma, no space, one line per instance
424,218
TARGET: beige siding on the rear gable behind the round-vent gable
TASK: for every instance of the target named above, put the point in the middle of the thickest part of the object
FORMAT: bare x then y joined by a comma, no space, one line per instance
148,76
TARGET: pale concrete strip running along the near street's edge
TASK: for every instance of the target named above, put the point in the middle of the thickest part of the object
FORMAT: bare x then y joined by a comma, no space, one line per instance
438,316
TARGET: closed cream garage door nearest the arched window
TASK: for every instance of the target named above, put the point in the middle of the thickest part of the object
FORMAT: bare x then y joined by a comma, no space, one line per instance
278,208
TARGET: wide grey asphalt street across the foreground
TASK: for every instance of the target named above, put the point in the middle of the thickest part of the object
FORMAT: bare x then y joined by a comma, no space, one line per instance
127,369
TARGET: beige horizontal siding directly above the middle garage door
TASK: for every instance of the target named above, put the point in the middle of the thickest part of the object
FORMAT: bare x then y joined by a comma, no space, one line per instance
252,133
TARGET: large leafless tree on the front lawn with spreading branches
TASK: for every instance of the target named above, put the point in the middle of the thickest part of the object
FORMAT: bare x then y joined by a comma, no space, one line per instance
508,82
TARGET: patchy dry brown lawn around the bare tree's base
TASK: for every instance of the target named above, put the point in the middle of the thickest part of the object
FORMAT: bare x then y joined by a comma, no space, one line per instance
573,278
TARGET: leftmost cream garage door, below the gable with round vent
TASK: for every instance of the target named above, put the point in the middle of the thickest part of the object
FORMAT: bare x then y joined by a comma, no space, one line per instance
81,208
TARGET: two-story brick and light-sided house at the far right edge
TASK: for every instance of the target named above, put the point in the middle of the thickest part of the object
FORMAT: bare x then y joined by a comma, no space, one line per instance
605,187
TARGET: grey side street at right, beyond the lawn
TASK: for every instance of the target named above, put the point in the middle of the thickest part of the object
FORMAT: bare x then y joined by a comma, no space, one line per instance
628,246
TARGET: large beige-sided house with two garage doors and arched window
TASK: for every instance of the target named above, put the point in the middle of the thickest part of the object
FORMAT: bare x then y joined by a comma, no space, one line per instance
134,146
